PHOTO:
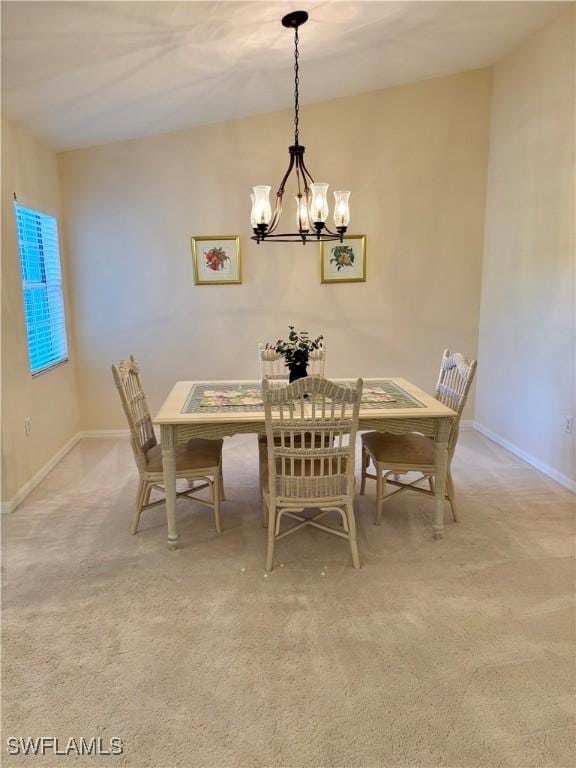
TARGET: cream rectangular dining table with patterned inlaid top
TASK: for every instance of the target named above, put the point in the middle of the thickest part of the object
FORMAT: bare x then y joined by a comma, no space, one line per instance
218,409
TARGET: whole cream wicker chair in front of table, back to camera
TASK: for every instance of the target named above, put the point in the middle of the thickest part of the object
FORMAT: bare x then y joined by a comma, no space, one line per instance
307,461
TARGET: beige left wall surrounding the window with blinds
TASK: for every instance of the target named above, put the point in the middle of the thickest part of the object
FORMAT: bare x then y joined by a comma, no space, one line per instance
50,400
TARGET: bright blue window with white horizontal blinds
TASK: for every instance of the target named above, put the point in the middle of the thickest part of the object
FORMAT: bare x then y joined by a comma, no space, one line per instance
42,288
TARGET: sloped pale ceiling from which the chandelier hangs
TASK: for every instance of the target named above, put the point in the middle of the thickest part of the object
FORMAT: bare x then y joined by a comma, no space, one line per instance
85,73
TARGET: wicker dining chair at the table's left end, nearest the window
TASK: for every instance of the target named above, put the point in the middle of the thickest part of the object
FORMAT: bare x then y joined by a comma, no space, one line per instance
197,460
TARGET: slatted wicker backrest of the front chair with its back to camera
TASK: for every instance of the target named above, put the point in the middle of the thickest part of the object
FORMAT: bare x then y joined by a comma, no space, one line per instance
311,428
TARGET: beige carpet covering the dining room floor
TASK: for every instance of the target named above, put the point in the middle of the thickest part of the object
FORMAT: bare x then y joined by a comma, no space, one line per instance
453,653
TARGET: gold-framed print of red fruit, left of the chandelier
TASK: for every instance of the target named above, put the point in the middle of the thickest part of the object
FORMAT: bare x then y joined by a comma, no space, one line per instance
216,259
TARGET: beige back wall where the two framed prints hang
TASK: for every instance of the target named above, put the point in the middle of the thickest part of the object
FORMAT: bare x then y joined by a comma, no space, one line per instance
415,158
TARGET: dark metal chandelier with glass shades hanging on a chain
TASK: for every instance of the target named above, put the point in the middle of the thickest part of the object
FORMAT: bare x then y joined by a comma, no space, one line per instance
312,197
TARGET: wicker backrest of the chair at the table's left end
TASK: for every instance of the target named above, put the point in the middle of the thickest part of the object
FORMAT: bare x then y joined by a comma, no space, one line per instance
127,377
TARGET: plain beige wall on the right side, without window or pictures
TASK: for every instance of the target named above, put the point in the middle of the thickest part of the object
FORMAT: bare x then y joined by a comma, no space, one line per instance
526,357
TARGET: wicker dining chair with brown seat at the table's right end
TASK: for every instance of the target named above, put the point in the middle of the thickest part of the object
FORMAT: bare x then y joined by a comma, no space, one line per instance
395,455
